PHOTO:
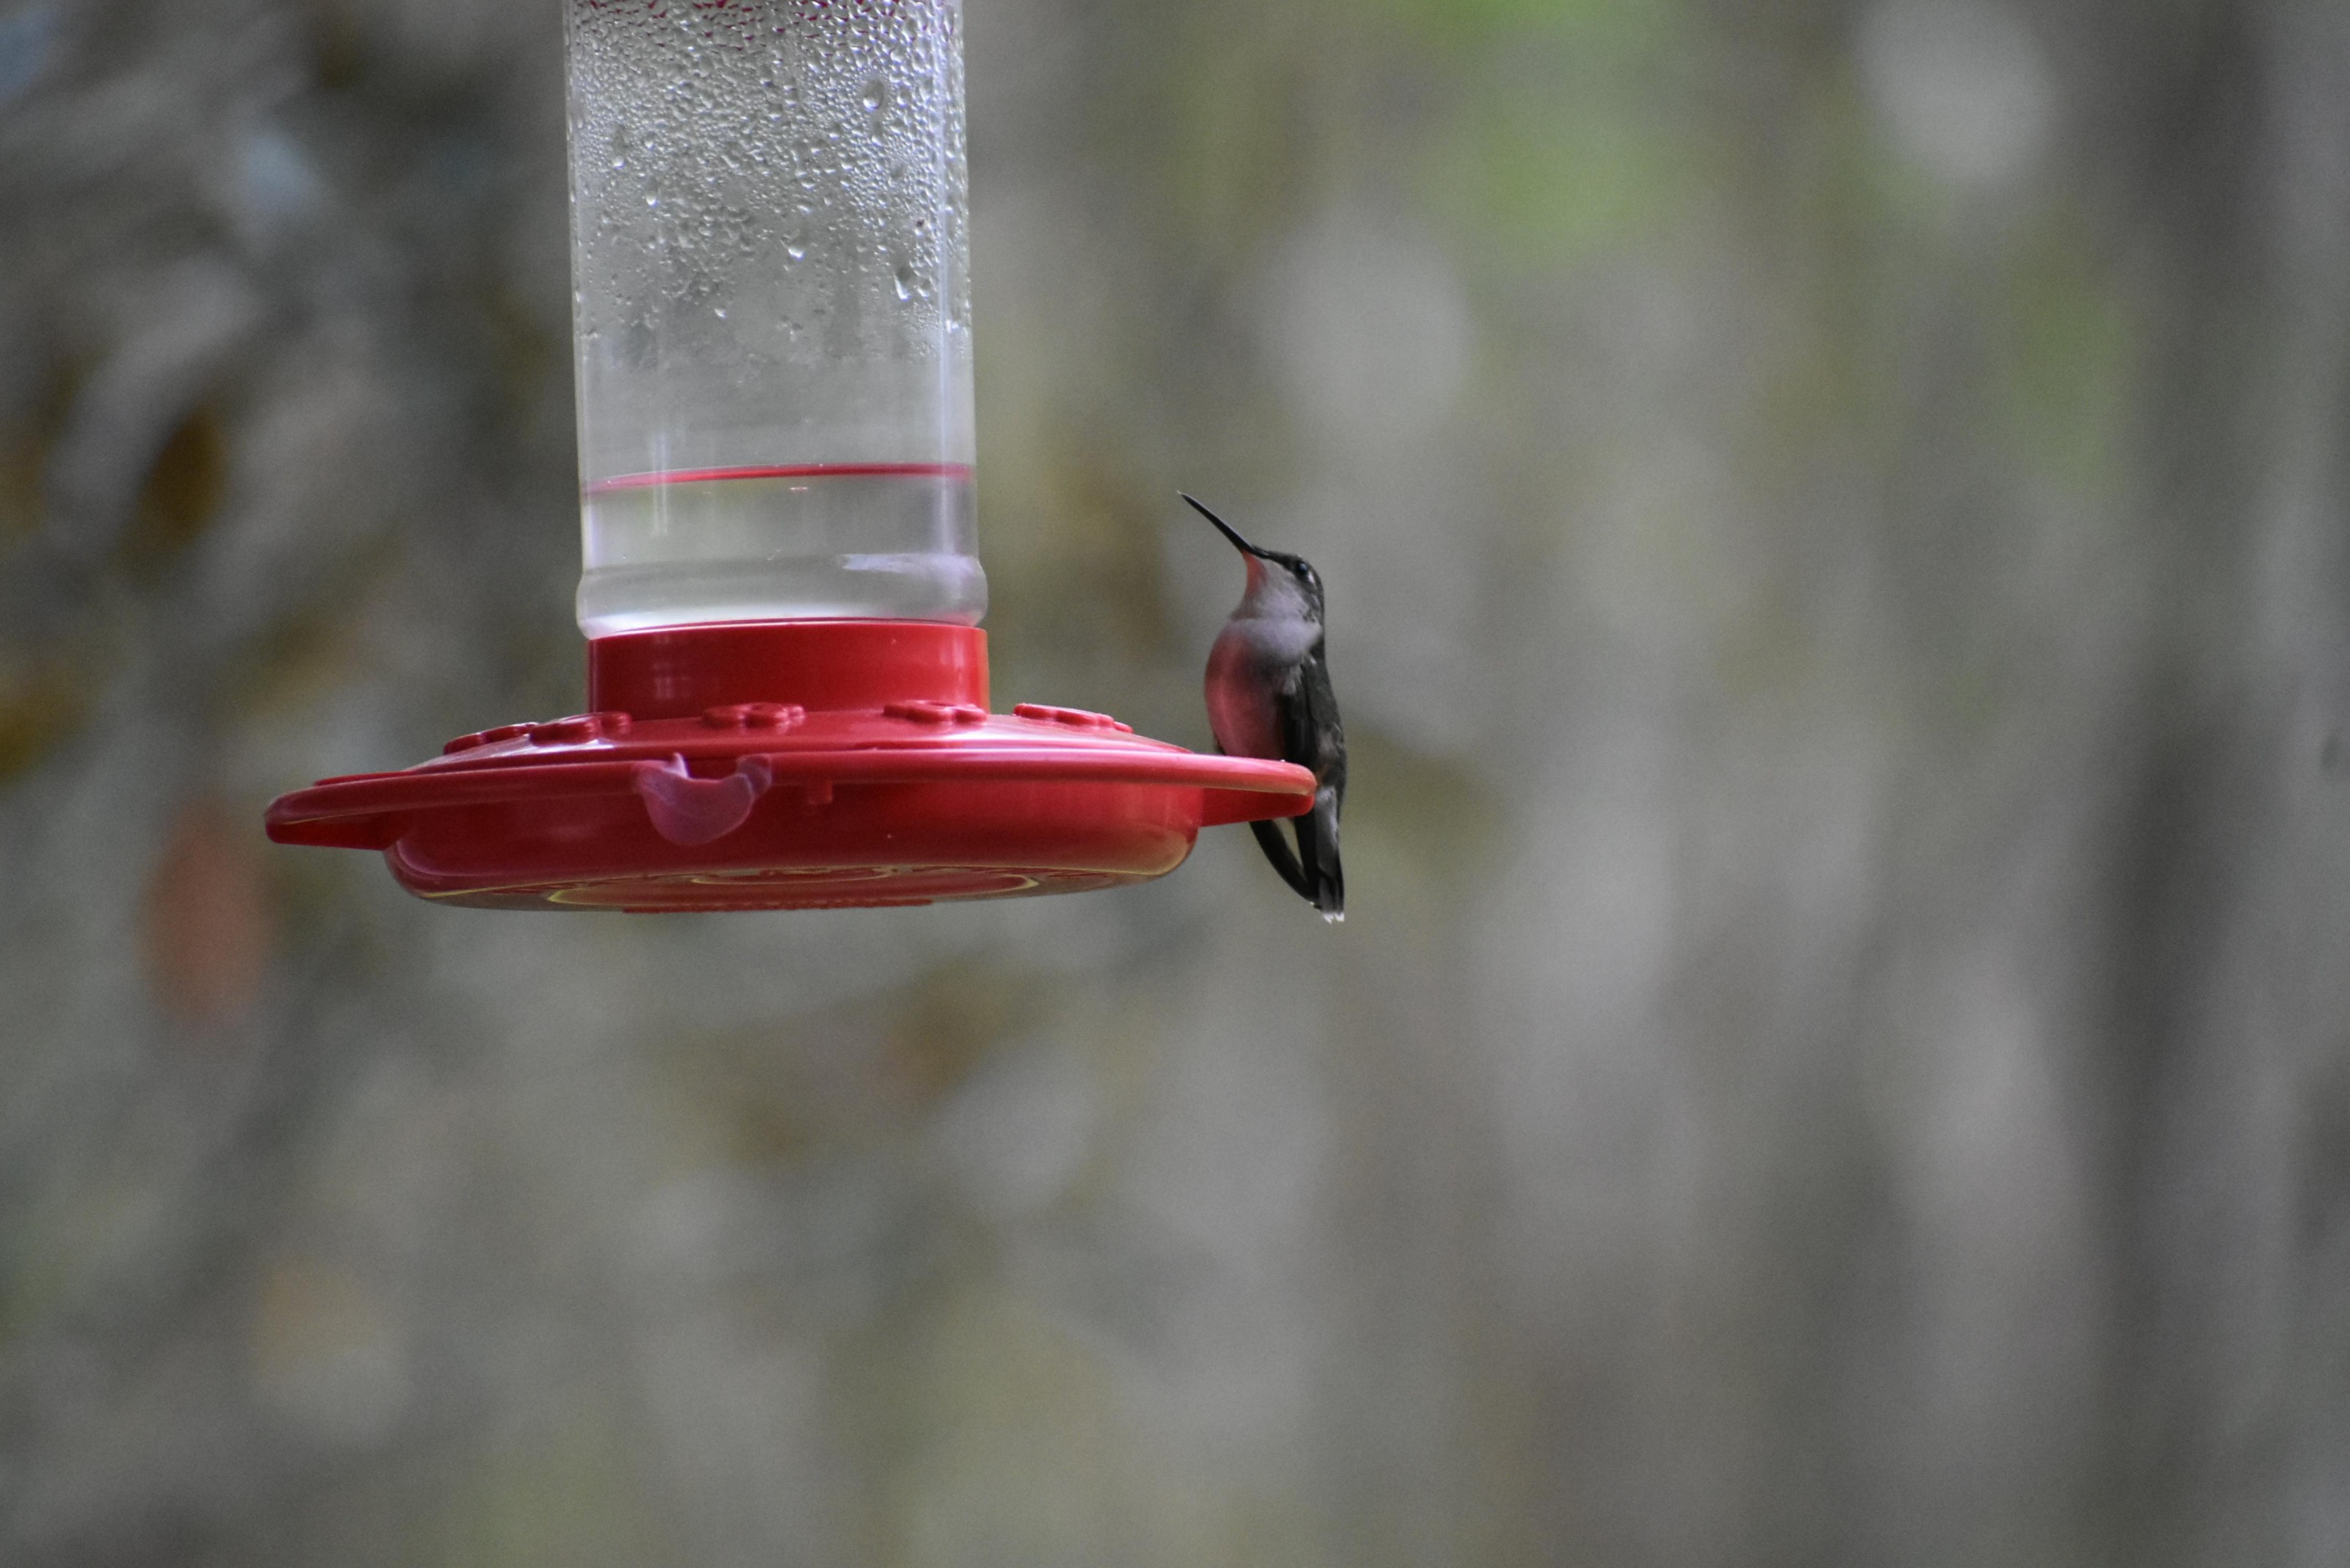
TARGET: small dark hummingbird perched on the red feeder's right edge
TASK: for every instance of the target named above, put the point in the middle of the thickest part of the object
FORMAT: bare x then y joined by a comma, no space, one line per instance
1270,697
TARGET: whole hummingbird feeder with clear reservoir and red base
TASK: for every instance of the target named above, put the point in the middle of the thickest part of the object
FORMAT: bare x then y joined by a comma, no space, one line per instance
786,678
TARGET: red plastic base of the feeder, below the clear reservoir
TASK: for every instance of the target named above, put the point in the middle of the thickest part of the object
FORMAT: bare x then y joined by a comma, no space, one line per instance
793,765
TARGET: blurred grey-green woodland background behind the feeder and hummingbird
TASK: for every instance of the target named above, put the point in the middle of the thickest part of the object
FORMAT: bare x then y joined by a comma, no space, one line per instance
1837,542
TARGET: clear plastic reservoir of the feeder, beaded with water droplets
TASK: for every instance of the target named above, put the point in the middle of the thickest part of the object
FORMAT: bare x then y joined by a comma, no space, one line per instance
770,215
